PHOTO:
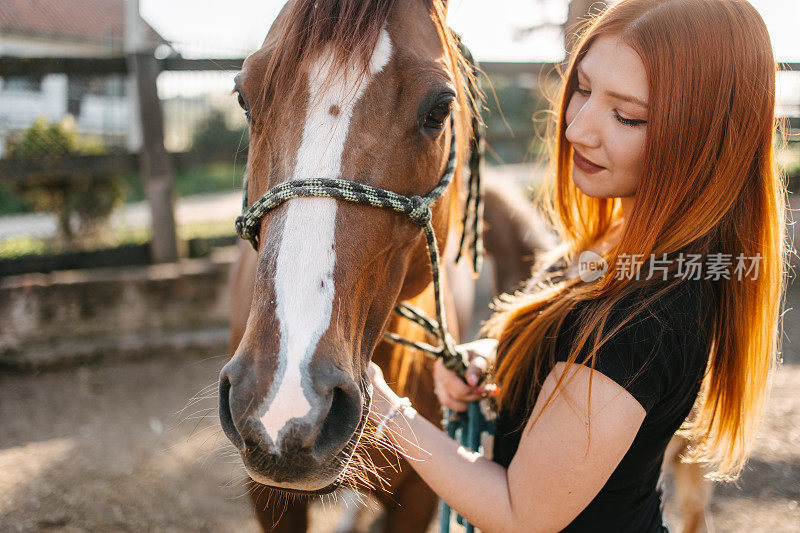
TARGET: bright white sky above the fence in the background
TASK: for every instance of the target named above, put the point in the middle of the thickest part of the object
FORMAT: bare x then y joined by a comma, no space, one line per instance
204,27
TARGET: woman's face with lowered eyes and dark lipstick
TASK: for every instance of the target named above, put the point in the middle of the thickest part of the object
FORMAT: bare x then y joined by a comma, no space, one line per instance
604,126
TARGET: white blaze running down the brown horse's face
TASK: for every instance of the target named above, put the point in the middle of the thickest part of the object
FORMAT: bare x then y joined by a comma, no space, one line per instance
304,283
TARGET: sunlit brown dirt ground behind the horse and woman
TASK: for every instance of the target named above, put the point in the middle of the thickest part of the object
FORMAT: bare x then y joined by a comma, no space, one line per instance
111,448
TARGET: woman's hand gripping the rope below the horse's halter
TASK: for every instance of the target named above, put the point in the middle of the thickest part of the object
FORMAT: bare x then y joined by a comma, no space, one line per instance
450,389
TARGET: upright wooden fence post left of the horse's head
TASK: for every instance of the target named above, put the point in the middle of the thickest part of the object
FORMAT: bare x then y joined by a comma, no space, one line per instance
154,162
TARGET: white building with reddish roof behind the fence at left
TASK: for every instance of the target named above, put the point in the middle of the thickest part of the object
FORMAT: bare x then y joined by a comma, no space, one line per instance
66,28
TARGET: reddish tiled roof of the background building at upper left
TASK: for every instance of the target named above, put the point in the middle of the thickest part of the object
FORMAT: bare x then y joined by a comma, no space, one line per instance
101,21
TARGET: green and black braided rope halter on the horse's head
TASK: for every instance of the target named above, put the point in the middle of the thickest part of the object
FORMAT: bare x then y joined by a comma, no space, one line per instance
416,208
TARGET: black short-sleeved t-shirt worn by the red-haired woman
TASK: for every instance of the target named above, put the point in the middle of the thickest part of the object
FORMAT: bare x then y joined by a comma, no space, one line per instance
659,357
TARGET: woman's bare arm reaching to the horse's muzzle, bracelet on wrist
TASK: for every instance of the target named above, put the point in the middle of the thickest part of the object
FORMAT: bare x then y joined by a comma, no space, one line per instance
556,471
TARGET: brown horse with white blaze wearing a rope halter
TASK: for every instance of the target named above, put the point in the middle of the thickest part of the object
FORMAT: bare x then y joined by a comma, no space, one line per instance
374,93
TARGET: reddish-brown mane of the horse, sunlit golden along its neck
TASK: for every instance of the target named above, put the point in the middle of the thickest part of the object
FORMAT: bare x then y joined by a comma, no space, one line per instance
351,29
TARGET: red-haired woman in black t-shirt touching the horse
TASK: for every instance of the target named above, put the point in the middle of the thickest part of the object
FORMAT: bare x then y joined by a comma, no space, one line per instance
663,146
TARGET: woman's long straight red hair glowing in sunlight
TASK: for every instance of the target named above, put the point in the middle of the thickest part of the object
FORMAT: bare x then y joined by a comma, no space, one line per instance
709,185
